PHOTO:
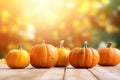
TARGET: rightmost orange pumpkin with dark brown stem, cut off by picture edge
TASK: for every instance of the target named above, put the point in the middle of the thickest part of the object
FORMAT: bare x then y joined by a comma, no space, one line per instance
109,56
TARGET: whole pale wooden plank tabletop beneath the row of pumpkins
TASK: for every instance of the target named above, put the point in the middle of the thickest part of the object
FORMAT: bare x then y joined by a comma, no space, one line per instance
60,73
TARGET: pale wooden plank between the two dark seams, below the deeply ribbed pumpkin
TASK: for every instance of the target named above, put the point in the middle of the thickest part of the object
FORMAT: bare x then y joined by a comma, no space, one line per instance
78,74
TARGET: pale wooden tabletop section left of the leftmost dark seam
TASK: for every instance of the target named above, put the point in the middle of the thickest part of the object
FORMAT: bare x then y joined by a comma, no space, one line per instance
31,73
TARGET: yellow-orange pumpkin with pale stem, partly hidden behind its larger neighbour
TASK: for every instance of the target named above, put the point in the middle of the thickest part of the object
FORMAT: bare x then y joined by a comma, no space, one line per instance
63,54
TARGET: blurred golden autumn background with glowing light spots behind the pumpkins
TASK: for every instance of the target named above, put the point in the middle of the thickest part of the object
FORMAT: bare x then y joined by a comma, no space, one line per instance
30,21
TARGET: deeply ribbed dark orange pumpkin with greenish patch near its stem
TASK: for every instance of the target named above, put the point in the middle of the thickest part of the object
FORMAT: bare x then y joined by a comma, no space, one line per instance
83,57
